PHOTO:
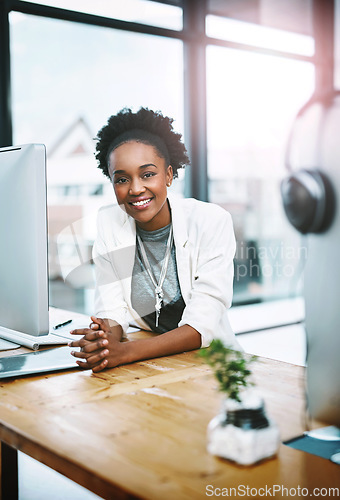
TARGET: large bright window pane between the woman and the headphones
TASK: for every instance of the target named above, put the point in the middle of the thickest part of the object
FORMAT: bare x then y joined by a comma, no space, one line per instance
252,100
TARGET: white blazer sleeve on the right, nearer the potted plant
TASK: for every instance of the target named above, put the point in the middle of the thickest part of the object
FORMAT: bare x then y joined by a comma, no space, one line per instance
212,283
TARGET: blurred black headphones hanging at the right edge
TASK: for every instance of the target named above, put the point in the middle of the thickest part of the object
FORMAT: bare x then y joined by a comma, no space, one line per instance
308,196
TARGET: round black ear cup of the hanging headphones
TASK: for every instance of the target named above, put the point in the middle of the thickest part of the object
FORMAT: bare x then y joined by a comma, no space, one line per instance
308,200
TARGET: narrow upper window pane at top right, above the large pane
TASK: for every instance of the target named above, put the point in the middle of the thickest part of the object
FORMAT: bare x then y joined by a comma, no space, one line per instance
252,34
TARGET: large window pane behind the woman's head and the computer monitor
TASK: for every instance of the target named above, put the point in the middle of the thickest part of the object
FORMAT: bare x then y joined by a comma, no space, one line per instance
67,79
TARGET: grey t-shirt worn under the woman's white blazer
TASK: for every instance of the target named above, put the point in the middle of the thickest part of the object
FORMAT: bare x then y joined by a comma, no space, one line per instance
142,289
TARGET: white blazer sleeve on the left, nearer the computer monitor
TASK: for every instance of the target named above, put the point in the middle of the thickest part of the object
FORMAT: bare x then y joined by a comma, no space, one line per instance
109,299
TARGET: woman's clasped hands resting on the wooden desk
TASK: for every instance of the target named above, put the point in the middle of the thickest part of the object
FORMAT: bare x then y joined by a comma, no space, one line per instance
99,347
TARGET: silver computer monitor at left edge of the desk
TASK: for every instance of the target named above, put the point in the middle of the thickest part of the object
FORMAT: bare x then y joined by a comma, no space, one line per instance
23,249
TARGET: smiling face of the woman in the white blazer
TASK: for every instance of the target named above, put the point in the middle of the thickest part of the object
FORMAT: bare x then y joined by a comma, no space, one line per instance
140,178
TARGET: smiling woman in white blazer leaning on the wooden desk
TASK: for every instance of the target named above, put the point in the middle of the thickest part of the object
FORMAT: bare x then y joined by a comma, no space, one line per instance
163,265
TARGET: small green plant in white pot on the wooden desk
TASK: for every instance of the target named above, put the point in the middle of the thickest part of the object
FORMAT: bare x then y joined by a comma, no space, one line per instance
241,432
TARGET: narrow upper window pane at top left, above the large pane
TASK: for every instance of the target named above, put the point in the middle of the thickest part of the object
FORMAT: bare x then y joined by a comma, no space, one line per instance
141,11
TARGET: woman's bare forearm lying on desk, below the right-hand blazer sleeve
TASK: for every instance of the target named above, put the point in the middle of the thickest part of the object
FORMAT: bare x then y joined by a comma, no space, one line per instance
183,338
